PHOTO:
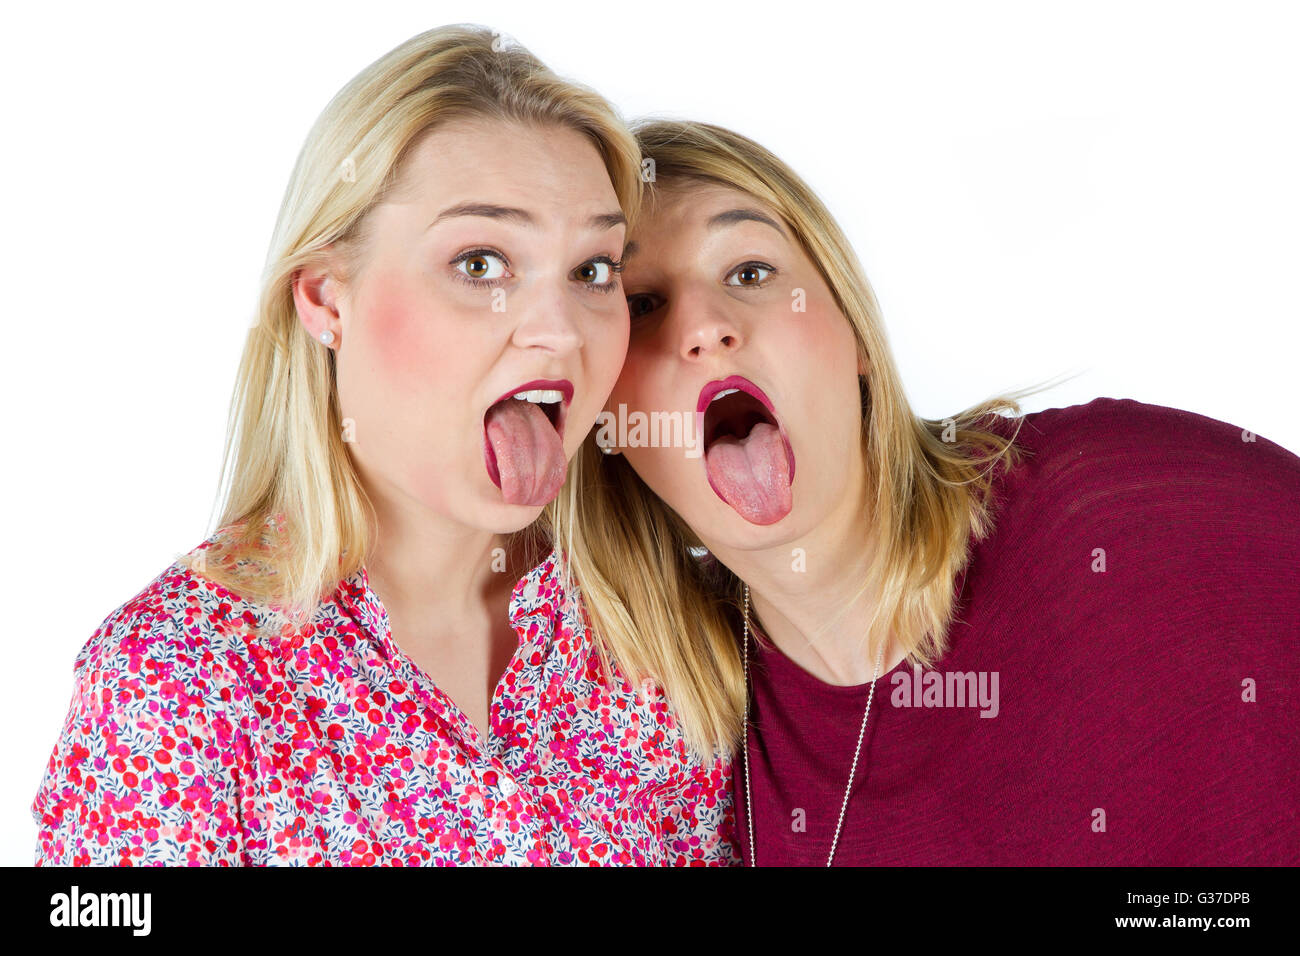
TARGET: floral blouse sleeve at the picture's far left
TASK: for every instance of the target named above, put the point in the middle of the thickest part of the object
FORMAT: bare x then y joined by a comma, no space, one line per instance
148,768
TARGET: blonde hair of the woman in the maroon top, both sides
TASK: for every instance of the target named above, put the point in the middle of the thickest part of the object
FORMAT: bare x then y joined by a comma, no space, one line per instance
662,612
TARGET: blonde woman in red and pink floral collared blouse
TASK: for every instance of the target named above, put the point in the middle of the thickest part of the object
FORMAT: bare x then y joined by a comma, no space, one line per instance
379,657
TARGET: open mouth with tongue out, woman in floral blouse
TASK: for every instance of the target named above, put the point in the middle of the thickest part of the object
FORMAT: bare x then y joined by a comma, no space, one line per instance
523,442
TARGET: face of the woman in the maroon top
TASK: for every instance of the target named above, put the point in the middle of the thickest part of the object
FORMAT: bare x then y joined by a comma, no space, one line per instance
722,297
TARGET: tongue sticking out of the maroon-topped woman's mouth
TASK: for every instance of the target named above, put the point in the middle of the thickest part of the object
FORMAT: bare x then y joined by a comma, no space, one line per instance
752,474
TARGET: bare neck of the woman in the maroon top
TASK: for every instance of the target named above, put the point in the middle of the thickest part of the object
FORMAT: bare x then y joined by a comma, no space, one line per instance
818,616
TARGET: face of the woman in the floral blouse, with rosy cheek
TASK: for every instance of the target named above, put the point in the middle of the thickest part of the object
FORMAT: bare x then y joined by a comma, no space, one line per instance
489,275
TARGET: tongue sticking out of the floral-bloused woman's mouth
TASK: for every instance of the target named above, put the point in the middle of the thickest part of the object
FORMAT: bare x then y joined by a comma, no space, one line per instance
525,455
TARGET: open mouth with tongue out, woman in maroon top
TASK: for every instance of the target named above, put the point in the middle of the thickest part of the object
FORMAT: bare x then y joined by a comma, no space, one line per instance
748,457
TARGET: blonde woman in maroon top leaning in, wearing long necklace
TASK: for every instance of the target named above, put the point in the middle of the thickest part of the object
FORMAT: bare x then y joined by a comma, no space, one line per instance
1094,594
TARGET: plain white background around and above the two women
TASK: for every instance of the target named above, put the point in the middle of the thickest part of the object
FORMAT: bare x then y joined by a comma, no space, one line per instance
1035,189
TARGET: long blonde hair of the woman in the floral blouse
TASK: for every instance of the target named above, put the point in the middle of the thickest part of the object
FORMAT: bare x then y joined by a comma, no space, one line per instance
296,518
